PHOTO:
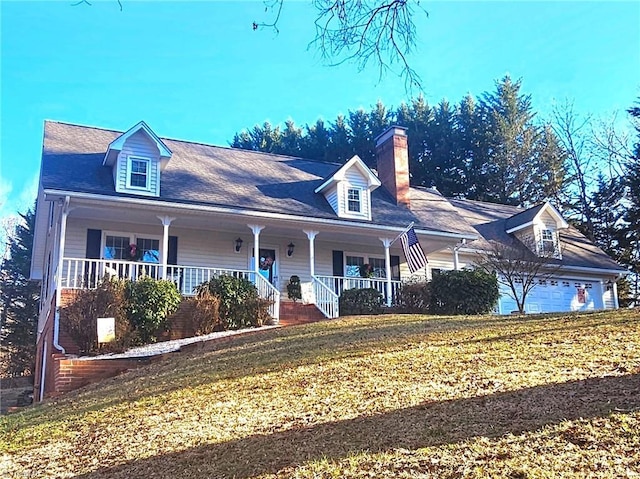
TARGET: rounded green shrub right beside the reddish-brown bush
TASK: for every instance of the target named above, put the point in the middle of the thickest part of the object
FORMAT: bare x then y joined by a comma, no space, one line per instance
148,304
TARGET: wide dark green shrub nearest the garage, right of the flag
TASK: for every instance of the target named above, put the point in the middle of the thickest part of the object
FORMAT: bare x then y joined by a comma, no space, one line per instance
471,291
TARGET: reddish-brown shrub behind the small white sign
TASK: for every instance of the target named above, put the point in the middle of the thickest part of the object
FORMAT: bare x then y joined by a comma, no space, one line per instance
79,317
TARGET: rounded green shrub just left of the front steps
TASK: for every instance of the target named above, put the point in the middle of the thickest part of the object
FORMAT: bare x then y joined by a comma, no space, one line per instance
240,306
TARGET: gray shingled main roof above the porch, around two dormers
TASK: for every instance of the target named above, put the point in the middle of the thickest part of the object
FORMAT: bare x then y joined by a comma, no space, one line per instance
229,177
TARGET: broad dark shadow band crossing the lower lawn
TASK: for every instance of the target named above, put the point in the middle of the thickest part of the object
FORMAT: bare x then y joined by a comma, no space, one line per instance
429,424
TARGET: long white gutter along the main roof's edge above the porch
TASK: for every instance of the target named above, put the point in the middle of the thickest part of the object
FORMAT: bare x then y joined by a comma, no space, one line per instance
251,213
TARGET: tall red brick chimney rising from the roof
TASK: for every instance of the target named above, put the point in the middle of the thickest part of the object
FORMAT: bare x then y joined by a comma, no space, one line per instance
393,163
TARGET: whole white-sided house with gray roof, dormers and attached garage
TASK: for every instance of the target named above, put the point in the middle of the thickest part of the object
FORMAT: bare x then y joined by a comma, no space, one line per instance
194,211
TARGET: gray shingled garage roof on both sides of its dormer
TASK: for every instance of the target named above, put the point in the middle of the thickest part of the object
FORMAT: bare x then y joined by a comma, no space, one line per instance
491,222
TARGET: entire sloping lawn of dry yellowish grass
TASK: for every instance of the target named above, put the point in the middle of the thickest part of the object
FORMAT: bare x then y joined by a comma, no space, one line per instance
390,396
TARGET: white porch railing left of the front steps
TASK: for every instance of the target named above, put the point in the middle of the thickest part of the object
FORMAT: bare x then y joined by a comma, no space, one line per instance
82,273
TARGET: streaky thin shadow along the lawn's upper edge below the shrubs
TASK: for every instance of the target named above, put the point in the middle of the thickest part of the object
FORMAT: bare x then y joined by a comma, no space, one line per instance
288,348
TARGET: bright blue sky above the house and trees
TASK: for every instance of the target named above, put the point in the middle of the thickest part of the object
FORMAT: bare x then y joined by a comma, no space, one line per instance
197,71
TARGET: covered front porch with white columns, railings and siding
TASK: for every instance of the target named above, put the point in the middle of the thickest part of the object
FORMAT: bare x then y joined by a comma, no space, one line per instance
190,247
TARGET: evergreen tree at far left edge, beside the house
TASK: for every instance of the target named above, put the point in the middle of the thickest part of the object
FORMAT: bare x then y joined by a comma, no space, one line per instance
19,302
